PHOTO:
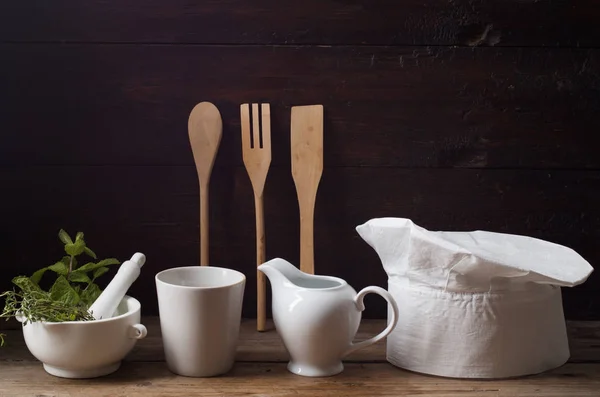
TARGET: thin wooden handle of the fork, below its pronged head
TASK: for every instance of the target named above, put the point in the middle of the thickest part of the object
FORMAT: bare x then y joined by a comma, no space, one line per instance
261,284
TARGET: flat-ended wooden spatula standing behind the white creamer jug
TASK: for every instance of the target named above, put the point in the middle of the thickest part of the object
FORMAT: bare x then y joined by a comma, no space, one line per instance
307,167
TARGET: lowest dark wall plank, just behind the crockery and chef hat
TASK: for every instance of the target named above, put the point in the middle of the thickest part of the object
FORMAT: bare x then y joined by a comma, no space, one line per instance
124,209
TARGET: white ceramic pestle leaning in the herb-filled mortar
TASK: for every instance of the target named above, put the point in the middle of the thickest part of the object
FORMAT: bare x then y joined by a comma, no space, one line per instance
109,299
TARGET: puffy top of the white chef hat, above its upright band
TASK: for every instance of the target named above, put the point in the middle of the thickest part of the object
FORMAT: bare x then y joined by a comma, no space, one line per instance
477,261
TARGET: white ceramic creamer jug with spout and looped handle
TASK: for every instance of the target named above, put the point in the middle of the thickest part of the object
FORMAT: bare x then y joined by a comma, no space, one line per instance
317,317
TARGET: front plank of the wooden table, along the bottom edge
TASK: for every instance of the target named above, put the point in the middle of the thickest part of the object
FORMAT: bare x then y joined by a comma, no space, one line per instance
272,379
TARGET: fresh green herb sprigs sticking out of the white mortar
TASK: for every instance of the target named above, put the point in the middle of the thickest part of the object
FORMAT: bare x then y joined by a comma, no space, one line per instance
71,294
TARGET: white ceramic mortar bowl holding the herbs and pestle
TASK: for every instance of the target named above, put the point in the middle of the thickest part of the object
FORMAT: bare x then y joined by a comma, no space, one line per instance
86,349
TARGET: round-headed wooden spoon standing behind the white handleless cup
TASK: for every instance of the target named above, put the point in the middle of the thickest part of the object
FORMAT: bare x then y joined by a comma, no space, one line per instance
205,128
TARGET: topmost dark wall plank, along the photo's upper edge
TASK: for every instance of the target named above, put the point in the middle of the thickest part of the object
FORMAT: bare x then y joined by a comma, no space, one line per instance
357,22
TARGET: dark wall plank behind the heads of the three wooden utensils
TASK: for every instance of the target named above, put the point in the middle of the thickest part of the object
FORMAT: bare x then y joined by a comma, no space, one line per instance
386,106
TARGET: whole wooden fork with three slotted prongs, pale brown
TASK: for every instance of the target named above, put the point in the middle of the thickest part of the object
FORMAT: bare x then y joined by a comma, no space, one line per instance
256,149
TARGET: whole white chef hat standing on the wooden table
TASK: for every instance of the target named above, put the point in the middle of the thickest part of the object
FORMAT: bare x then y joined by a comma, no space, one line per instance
474,304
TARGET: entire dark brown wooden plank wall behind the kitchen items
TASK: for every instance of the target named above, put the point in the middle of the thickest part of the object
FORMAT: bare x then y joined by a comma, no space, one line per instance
459,114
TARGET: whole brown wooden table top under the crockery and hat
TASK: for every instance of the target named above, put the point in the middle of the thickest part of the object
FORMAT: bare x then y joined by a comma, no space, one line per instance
260,370
